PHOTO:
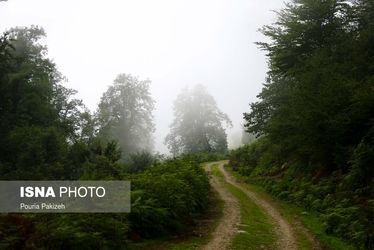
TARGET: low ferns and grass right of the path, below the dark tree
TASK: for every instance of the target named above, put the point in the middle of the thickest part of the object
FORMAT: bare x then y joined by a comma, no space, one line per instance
301,195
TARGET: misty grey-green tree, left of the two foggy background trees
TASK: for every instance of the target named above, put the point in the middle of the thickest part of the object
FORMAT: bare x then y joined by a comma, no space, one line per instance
125,114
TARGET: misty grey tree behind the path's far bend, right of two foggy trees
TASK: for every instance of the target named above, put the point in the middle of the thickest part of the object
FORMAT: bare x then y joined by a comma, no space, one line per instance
198,125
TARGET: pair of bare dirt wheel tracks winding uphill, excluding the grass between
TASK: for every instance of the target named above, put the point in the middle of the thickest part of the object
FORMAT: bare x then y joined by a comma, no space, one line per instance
226,229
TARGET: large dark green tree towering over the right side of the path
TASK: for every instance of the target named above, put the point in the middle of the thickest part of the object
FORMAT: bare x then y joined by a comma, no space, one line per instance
318,102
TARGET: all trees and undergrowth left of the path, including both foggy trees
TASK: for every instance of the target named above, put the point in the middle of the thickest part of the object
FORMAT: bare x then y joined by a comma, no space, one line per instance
47,134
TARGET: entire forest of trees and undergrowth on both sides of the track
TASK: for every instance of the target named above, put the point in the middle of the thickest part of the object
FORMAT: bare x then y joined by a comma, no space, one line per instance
311,136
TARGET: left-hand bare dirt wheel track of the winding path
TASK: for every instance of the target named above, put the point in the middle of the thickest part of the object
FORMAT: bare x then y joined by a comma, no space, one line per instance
226,229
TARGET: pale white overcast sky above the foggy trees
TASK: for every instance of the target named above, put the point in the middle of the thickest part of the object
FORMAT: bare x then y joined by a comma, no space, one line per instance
174,43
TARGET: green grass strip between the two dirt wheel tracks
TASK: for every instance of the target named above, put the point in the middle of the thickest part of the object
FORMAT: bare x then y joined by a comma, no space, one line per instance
256,229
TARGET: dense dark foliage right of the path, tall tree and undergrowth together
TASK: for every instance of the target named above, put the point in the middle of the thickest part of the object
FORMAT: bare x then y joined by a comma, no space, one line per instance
315,114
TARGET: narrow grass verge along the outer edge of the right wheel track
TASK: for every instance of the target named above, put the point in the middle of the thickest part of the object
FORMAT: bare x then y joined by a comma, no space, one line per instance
309,220
